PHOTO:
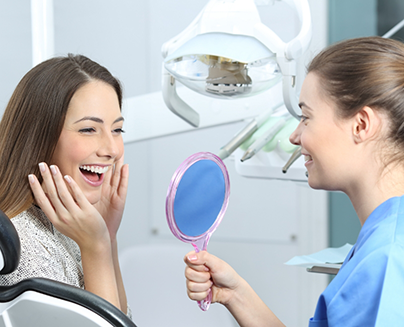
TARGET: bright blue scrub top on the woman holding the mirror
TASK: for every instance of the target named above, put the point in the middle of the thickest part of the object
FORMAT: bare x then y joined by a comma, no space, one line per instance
369,288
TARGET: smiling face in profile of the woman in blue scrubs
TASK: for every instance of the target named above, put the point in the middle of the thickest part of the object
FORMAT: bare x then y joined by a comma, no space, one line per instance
324,138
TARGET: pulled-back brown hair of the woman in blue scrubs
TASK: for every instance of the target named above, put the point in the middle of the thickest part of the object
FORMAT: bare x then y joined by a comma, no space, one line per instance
369,72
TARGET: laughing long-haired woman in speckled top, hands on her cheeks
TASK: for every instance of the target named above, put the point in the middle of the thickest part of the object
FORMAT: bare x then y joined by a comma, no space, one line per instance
62,178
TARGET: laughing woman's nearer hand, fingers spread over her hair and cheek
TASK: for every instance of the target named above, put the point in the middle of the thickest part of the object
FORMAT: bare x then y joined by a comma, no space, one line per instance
68,210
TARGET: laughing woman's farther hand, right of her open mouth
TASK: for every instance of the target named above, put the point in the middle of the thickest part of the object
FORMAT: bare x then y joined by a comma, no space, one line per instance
114,190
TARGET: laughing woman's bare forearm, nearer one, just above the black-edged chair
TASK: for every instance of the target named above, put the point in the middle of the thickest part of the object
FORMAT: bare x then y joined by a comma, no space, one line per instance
99,273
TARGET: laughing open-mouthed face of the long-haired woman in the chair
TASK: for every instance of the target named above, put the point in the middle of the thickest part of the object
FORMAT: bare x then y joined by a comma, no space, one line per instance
91,139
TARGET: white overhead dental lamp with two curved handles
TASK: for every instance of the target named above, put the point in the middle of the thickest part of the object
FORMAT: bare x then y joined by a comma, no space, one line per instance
227,53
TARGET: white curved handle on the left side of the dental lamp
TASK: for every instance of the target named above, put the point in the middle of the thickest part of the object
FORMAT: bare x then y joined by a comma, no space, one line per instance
175,103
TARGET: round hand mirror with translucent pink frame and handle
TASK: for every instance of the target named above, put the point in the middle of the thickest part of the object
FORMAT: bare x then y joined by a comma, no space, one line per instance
197,199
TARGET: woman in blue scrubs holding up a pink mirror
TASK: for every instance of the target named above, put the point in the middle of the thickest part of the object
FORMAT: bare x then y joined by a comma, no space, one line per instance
352,136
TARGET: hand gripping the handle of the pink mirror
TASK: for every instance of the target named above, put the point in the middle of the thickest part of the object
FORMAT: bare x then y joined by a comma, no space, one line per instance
205,271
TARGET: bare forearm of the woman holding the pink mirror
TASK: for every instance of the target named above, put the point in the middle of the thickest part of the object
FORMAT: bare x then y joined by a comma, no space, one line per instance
249,310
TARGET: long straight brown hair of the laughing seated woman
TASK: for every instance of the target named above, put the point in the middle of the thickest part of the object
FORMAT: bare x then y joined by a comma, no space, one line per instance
34,118
